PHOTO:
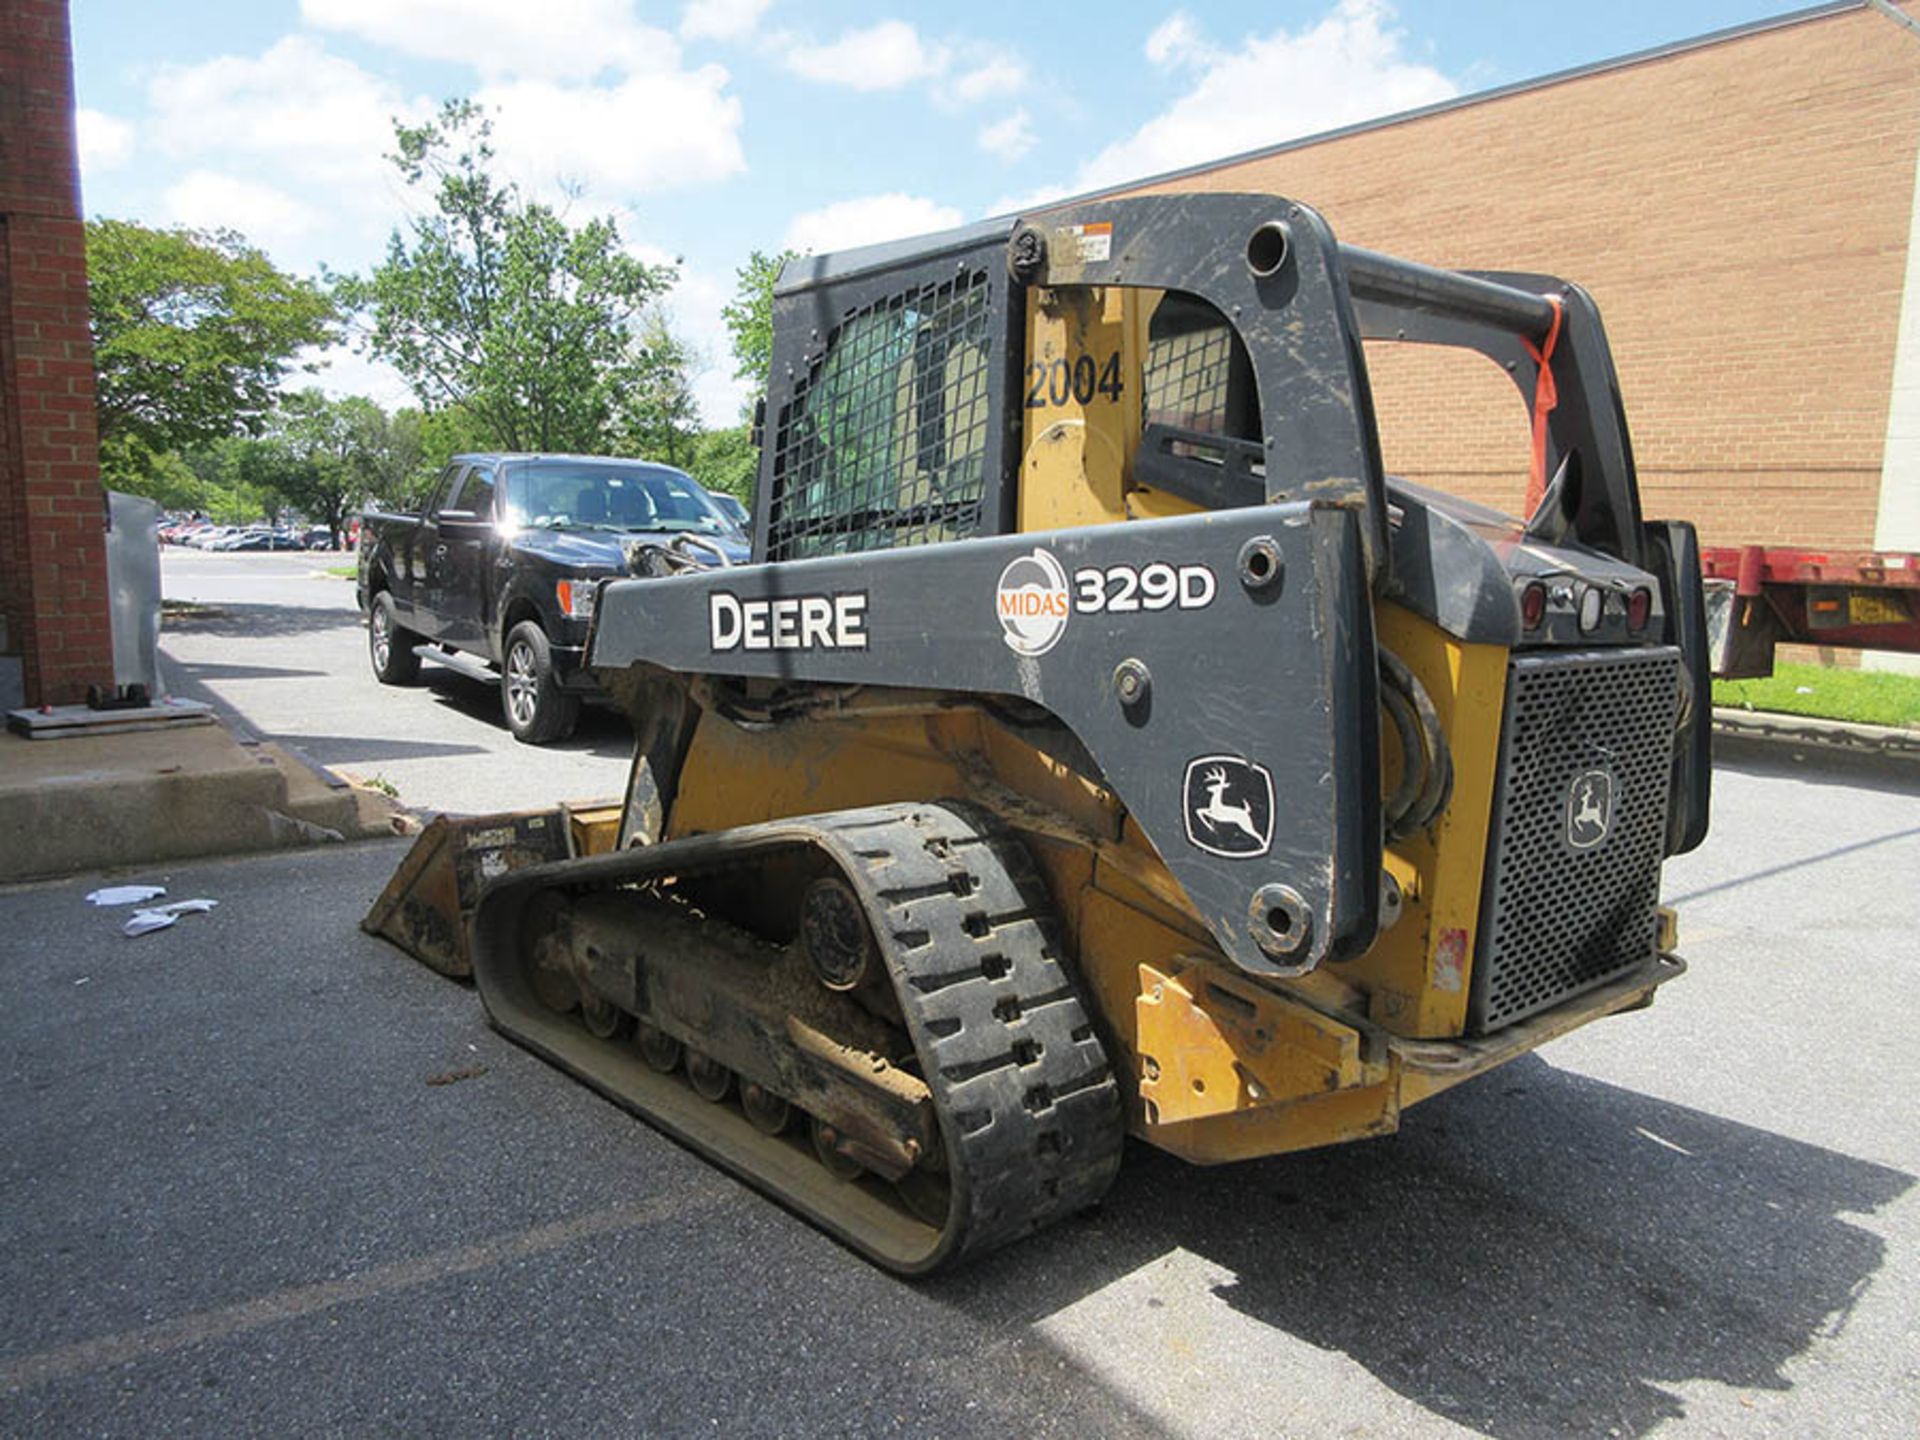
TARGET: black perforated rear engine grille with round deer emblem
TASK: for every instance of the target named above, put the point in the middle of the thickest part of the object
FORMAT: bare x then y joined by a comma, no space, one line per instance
1579,828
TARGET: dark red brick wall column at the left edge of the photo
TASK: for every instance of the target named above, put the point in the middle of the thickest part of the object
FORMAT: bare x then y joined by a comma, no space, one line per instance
53,539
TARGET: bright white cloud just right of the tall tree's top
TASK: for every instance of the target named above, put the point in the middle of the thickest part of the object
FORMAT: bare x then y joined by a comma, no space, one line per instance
646,133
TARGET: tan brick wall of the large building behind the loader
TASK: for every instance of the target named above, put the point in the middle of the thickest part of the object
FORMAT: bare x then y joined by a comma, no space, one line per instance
1739,210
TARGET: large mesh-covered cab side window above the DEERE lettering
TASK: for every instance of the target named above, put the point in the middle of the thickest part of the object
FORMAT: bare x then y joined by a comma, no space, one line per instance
884,443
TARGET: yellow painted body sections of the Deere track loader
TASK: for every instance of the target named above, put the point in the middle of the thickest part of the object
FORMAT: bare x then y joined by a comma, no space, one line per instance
1222,1068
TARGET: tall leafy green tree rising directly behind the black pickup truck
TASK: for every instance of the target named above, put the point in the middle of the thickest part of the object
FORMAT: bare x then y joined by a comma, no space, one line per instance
496,304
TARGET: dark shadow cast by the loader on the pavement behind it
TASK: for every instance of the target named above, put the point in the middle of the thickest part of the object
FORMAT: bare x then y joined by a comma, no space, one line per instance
1535,1255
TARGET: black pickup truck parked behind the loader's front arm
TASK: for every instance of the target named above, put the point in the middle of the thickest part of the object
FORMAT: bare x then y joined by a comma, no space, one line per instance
502,565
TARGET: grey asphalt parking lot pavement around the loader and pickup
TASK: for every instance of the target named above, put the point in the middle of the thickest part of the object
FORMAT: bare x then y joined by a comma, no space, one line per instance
266,1174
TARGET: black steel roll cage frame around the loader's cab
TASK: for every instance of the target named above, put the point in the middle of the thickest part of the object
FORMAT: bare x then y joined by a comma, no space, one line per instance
1301,304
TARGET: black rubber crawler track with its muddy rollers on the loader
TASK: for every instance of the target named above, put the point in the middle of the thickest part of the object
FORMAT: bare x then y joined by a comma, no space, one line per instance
882,974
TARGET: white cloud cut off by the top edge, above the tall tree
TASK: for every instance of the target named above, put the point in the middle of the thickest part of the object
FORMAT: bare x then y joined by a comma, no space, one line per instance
548,39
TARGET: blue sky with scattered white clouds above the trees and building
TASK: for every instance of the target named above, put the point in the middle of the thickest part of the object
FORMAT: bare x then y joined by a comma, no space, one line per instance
715,128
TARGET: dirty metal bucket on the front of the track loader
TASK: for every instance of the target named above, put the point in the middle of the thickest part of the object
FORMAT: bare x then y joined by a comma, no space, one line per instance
433,896
